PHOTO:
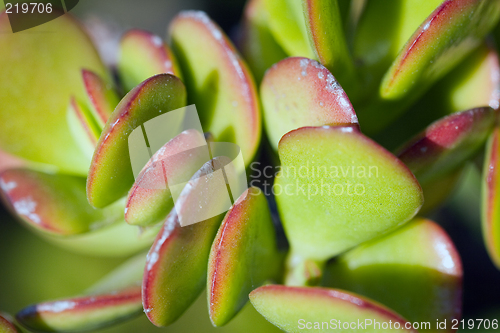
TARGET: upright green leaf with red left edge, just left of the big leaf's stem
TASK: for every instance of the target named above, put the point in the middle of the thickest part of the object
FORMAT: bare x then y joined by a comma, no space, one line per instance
244,255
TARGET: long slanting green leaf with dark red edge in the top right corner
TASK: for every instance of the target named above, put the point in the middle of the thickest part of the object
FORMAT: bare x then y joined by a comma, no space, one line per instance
424,59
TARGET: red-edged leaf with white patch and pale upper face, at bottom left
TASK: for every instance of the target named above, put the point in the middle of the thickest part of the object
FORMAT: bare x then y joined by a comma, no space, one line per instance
116,297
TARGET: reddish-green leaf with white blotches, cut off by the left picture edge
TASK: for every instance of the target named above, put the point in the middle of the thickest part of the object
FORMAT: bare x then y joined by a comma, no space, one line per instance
55,204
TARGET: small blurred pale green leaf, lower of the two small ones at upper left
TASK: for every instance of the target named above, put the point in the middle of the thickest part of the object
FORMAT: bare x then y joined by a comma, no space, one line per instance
83,126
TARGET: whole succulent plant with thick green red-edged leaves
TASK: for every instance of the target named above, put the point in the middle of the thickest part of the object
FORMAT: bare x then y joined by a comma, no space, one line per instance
365,111
